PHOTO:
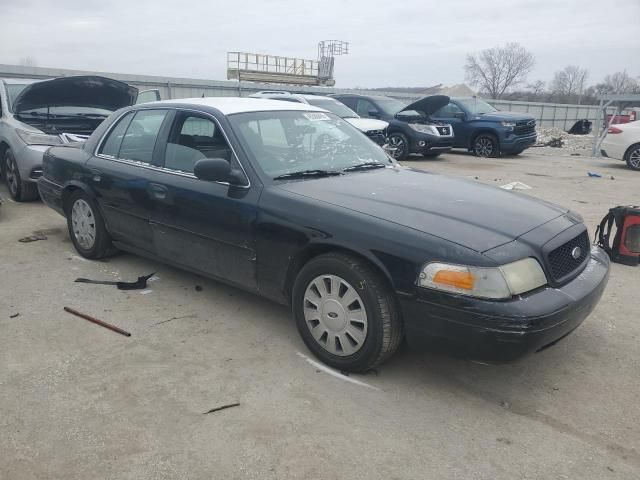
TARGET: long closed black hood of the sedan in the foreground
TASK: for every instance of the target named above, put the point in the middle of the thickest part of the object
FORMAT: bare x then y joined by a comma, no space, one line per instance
476,216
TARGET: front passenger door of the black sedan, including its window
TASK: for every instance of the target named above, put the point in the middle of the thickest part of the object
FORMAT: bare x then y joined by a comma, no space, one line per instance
205,226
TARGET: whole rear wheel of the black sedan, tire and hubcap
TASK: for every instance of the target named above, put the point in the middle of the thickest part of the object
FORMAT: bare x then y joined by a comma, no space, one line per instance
86,227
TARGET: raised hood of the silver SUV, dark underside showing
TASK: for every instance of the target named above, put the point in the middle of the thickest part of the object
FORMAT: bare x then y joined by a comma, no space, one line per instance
78,91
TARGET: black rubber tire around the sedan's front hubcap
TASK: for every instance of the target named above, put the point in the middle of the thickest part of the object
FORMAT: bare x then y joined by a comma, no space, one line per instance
384,329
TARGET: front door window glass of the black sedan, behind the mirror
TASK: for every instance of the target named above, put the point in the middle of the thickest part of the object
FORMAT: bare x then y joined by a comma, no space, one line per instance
192,138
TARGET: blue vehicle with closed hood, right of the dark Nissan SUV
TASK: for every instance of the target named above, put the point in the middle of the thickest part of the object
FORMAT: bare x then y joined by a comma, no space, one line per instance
486,131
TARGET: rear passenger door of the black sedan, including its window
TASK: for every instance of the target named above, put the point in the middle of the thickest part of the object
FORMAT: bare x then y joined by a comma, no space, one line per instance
125,165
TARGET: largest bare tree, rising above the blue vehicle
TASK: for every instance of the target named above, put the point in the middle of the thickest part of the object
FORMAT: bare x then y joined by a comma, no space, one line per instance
497,69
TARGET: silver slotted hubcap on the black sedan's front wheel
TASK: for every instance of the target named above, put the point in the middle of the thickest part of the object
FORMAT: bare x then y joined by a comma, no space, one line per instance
335,315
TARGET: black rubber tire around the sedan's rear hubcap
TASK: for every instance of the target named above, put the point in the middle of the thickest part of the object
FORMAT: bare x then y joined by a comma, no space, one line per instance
101,246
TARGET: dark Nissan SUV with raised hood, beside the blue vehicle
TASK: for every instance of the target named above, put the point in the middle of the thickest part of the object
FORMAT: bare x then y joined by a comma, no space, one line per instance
412,128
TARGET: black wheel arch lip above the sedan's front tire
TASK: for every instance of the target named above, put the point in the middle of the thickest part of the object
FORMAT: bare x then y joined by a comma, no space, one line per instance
314,250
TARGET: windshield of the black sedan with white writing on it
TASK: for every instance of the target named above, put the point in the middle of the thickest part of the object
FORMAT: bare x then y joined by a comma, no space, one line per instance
289,142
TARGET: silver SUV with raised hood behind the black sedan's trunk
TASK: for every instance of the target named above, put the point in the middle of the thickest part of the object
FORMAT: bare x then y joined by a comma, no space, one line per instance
36,114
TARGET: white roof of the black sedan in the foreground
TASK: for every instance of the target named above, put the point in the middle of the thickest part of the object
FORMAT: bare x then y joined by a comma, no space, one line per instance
231,105
